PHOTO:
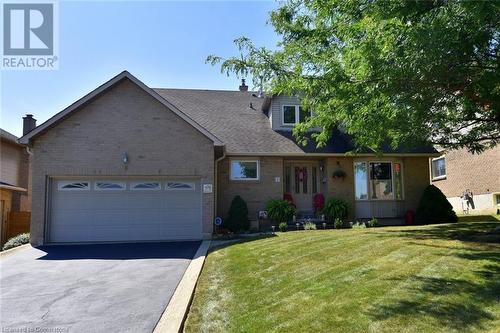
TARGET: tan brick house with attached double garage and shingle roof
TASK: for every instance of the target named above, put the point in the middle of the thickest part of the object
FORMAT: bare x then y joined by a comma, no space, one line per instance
129,163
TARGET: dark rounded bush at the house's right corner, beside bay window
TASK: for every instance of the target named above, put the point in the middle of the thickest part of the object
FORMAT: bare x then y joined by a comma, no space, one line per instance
434,208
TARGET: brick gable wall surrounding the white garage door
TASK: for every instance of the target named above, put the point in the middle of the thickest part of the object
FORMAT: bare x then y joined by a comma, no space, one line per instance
125,119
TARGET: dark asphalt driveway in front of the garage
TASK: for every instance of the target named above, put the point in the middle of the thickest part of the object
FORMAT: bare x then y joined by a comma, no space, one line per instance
90,288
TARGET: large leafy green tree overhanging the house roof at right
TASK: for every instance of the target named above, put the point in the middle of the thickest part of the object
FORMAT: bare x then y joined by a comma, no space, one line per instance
394,72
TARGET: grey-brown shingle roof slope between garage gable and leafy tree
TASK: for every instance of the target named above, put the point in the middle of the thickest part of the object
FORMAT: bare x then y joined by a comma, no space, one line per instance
244,130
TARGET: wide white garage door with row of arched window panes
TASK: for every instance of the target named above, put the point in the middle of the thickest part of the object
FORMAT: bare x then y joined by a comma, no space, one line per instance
97,210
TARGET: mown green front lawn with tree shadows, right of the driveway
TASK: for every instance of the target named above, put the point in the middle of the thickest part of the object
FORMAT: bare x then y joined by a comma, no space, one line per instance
442,278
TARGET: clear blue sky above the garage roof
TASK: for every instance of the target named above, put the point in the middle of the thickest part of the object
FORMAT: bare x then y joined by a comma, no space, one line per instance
162,43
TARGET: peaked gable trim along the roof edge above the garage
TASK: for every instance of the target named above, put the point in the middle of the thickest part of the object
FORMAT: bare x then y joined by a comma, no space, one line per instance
101,89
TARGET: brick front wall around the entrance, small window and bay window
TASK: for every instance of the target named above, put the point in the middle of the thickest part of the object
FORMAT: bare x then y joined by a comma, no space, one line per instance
258,193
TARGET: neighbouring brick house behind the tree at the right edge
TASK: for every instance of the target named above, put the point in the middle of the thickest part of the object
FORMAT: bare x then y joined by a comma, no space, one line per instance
459,172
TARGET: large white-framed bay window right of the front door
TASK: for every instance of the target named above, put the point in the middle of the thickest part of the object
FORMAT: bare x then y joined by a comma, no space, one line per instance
378,180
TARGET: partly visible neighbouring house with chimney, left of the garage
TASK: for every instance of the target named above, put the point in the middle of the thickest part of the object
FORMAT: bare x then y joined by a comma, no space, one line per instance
15,190
